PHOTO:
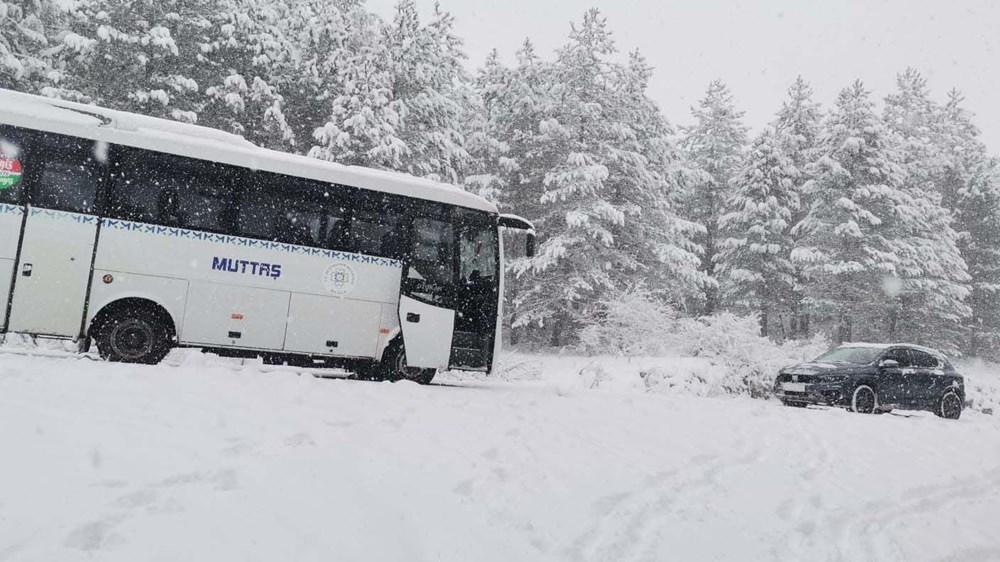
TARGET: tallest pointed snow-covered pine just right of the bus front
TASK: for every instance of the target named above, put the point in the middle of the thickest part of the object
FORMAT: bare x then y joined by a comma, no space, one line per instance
576,258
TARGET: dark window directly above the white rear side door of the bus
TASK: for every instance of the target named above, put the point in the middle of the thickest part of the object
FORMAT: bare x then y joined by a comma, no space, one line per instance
70,173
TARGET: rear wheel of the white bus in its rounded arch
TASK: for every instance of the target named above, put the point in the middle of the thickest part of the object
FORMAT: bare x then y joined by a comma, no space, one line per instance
134,335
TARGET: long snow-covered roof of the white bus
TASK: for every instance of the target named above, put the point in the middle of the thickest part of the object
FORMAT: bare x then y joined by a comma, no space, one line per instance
193,141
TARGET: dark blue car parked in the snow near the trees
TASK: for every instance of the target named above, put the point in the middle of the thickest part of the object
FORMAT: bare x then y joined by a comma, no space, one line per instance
875,378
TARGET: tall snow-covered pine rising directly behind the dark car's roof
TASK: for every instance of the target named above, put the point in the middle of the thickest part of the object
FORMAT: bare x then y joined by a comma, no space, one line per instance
845,243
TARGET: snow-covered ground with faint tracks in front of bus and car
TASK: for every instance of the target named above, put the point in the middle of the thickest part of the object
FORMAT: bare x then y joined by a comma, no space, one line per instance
203,461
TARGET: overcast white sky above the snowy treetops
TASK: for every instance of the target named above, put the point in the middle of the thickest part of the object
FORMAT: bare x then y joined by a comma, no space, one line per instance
758,47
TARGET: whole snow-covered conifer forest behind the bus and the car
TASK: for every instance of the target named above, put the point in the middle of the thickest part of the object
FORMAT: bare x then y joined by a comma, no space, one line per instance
872,216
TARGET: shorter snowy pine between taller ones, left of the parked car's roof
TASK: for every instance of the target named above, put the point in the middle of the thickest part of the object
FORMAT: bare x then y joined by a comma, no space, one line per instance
755,256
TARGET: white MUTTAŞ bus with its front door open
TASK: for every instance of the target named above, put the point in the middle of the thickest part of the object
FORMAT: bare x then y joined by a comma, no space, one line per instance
141,234
